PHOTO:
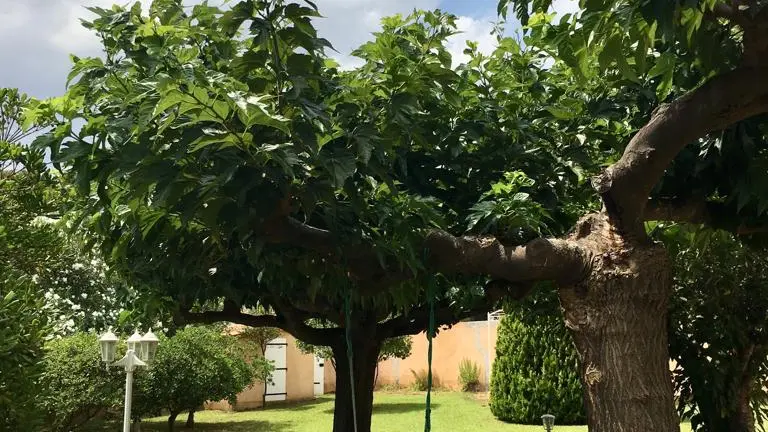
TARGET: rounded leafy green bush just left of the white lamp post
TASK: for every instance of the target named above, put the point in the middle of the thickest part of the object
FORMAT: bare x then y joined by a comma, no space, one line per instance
78,386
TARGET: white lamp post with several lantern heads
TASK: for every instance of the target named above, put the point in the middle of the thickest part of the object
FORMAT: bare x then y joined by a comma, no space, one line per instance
141,350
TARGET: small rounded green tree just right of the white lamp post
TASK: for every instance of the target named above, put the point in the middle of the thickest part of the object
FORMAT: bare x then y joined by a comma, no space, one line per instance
196,365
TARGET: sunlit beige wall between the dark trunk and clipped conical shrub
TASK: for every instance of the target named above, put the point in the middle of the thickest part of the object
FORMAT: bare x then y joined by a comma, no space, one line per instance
468,340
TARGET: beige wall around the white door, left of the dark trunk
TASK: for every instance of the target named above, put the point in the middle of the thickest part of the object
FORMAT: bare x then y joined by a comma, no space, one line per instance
299,380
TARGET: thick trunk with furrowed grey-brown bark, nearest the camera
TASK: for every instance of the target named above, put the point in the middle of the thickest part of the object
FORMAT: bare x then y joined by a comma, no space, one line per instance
618,318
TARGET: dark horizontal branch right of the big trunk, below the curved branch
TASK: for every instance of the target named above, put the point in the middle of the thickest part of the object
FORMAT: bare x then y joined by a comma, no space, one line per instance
714,215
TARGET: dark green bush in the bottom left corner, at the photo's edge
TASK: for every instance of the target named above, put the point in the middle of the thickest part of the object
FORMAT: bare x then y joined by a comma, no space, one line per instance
23,329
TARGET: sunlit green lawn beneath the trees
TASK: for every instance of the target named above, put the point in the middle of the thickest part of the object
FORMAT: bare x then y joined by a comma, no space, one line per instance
392,412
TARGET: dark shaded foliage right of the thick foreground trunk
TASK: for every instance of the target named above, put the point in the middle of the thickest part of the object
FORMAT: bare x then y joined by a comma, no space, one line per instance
718,328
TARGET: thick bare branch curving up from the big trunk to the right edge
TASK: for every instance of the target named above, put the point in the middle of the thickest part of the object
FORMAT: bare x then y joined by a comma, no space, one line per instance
723,100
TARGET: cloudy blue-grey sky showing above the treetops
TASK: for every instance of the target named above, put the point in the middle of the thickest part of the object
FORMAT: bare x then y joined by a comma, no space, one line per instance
37,36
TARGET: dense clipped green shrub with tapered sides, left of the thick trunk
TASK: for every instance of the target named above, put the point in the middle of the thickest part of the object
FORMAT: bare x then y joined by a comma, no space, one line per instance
535,371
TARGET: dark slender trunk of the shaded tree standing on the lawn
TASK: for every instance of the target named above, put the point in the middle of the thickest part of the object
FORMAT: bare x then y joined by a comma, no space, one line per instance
366,353
